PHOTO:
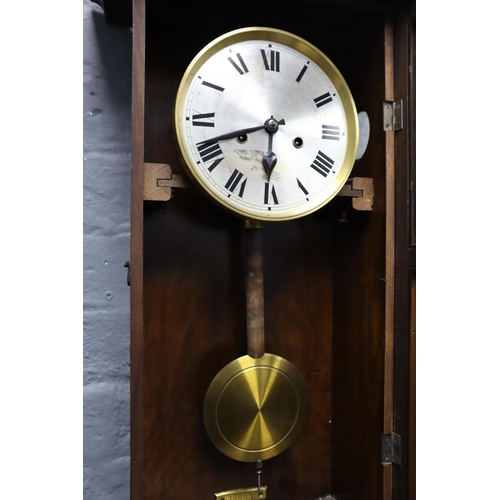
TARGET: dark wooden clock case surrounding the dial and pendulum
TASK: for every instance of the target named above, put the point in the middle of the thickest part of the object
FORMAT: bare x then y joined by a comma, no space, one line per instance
337,282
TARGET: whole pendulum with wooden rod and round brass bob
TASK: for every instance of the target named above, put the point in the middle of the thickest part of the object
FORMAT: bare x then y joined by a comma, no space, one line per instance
257,404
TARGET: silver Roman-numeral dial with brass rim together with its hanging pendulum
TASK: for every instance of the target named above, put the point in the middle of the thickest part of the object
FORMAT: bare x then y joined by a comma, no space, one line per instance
268,128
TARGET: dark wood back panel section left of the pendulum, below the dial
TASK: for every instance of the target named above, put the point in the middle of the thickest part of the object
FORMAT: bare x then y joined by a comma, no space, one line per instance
194,310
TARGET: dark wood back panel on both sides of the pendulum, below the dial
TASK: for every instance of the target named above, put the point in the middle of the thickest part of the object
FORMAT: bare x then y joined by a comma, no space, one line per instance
195,315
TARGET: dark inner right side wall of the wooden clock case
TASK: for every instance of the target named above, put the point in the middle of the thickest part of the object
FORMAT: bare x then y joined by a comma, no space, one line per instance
362,286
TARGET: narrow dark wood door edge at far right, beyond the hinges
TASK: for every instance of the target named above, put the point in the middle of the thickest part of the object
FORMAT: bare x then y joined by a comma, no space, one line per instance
404,75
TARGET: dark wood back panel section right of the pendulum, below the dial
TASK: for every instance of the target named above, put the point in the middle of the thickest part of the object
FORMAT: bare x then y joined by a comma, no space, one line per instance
298,297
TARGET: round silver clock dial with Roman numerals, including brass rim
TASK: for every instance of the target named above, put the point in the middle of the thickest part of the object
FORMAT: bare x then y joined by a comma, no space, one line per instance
266,124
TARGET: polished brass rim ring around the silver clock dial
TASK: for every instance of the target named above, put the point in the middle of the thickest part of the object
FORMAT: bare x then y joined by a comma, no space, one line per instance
313,53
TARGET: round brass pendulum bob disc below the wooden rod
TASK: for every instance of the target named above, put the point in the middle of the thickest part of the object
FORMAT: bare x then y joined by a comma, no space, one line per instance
255,408
